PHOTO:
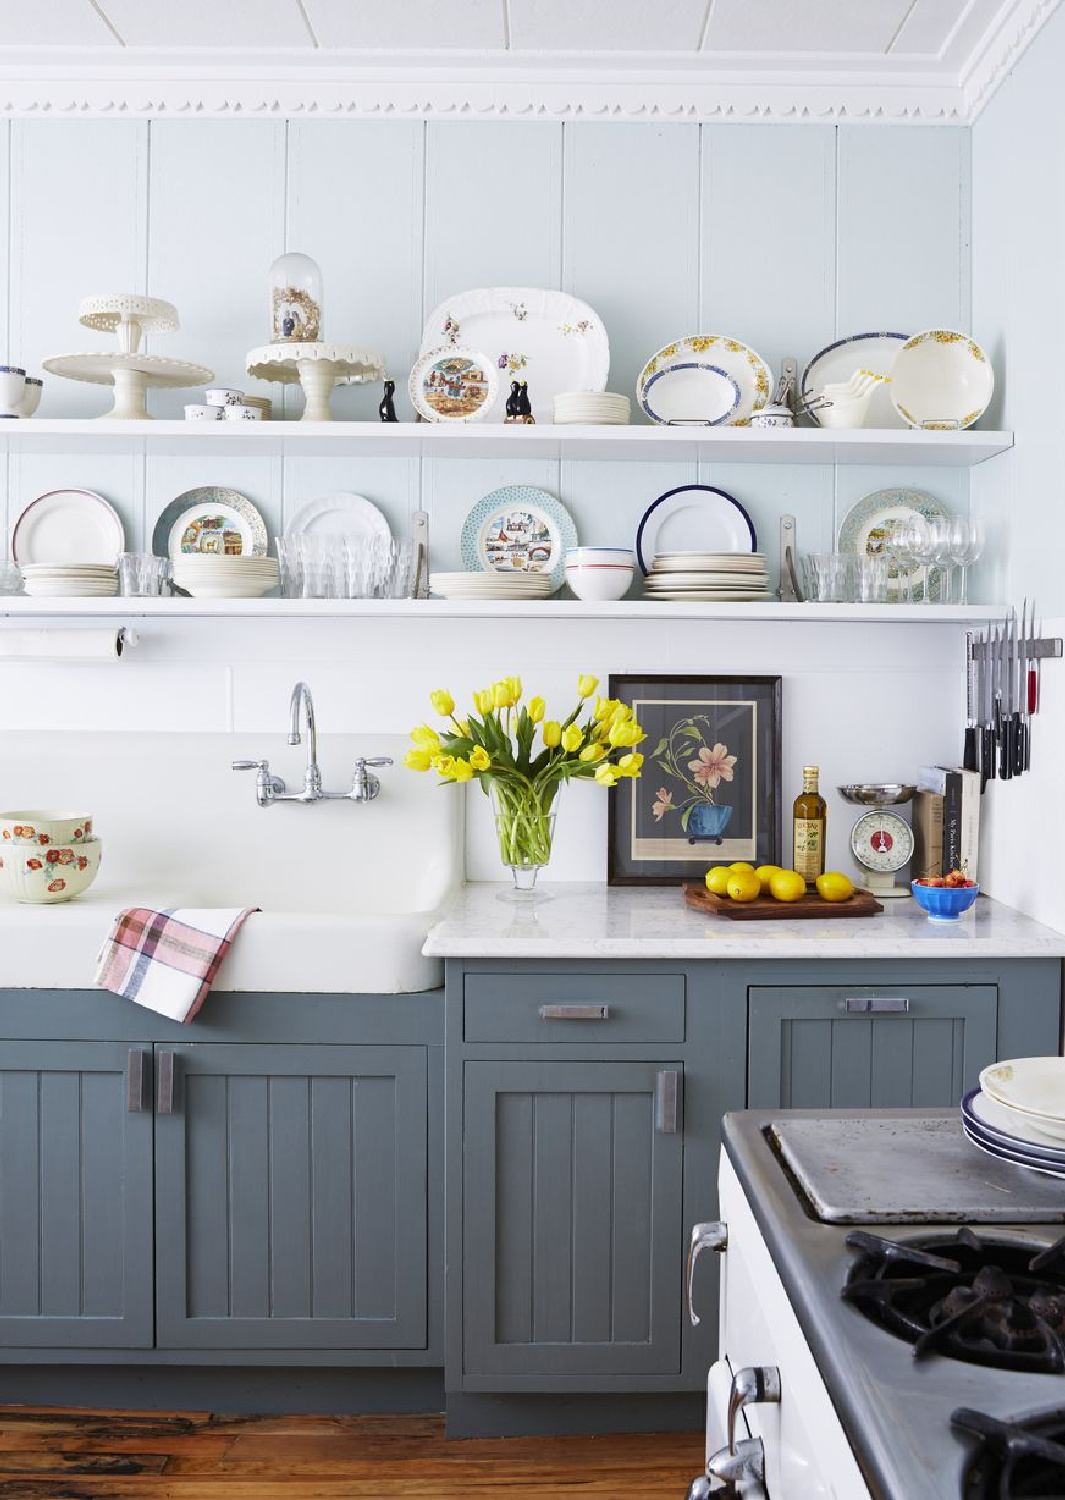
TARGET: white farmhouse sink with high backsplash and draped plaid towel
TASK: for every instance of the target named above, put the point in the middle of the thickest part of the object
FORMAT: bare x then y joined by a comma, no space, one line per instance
347,893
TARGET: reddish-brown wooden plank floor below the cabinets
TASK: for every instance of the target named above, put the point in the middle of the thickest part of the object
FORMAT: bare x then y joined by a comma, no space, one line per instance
47,1454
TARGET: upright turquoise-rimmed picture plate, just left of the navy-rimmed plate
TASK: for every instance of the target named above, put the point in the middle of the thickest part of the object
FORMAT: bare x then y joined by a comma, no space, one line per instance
518,530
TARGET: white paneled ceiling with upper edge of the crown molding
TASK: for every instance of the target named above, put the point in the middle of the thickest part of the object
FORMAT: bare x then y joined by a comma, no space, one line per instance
863,44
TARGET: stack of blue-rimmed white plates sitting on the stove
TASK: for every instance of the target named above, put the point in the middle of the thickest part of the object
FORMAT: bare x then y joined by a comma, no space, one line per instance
1018,1114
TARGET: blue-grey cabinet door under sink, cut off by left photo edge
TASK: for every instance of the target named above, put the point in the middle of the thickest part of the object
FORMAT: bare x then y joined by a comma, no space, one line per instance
76,1195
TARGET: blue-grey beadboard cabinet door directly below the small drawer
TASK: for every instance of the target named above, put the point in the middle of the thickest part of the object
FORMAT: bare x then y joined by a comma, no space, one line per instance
572,1220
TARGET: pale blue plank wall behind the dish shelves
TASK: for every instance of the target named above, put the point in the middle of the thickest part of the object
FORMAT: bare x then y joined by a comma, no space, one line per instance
784,236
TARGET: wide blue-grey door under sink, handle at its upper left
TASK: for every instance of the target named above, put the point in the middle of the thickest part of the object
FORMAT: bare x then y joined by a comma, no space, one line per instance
292,1198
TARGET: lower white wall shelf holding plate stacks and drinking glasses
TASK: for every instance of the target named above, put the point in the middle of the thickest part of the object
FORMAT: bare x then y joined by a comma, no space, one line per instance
20,608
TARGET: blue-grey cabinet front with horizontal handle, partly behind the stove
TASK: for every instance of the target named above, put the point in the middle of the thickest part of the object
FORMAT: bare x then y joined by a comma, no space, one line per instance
850,1048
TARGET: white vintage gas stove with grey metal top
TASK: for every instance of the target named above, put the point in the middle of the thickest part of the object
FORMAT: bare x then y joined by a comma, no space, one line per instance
893,1310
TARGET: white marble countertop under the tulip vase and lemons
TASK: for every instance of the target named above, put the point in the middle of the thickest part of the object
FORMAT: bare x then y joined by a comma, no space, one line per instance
601,922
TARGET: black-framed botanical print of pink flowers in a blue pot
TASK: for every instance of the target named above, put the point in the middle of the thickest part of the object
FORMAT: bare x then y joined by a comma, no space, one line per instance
710,791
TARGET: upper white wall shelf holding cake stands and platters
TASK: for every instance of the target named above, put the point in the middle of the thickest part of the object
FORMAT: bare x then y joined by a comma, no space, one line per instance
472,442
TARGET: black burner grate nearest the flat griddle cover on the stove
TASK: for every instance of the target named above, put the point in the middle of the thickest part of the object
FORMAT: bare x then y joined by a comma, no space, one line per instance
989,1303
